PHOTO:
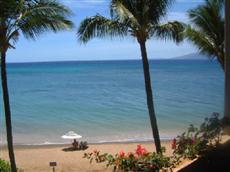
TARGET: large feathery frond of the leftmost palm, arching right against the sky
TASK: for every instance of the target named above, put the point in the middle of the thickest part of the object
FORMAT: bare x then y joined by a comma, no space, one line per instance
43,15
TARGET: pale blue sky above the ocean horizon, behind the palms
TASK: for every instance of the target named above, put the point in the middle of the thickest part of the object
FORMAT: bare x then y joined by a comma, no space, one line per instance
64,45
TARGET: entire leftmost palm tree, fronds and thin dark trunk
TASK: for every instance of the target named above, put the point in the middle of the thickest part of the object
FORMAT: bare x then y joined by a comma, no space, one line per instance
30,18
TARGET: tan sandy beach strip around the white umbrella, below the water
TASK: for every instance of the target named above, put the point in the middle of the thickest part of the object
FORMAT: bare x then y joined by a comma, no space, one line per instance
37,158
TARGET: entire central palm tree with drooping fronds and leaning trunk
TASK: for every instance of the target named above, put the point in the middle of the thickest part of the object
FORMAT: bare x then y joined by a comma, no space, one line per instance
140,19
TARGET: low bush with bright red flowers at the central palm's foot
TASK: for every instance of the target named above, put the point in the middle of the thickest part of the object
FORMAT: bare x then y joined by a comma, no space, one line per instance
140,160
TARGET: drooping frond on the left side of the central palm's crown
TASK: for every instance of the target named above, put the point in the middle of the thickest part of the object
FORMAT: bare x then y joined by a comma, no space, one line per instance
99,26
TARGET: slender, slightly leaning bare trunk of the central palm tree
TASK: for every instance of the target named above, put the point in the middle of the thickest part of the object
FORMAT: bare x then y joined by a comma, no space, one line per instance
149,95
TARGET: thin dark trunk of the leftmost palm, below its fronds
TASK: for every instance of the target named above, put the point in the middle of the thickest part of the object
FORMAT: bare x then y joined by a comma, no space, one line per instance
7,112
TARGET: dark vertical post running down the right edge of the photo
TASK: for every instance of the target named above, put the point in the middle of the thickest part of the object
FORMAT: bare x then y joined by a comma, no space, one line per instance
227,63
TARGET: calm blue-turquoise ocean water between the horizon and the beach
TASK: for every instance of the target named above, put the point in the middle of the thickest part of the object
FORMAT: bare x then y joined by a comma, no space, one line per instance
105,101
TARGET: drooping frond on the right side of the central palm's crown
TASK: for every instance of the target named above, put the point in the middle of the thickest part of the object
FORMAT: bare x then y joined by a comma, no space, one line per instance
171,30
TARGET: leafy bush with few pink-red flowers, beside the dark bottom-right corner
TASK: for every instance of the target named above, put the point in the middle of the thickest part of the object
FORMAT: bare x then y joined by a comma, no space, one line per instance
196,141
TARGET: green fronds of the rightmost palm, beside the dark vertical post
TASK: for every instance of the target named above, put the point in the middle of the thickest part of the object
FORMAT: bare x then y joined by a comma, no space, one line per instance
207,32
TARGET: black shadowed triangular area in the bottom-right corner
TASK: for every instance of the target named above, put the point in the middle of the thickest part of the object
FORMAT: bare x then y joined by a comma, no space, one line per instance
216,160
